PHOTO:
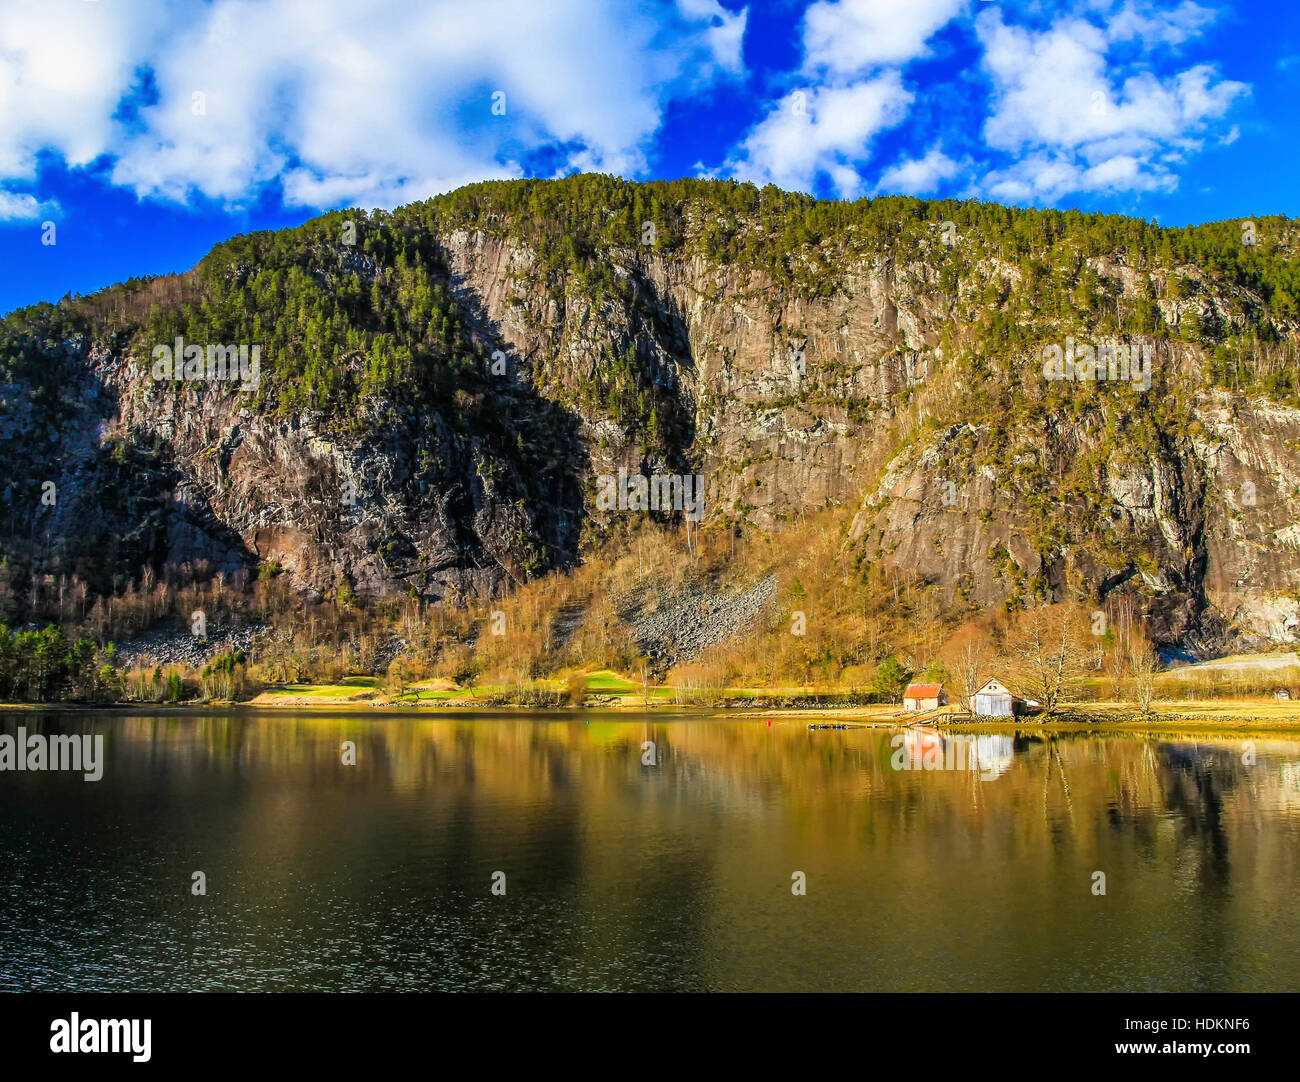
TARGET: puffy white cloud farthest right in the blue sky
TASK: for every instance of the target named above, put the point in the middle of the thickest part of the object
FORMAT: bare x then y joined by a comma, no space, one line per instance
1082,124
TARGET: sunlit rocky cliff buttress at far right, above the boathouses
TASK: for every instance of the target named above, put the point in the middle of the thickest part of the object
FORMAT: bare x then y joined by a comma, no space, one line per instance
1201,533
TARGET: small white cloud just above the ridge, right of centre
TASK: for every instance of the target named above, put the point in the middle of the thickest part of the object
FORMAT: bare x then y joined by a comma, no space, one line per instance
825,131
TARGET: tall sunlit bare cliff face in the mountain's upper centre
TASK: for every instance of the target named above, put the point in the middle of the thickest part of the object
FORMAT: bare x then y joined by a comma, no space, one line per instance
775,401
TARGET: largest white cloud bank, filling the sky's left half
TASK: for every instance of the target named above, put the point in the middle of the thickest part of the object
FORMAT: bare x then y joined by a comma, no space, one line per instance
343,102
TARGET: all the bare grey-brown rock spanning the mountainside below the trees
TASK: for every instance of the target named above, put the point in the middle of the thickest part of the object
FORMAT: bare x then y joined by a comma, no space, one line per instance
785,400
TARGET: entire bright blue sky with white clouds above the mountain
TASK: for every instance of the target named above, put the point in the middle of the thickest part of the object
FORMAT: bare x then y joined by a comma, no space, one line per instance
146,131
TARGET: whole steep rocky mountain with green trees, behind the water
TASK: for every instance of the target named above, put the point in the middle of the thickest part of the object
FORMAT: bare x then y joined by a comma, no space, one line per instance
447,389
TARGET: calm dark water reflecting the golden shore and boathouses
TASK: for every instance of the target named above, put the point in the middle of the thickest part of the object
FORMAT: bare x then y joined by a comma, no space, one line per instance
622,876
